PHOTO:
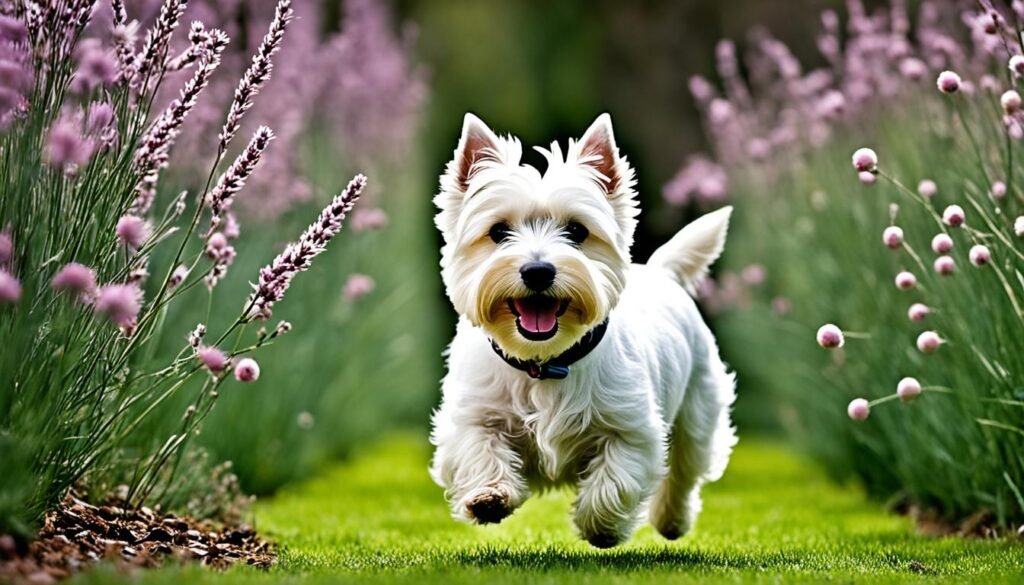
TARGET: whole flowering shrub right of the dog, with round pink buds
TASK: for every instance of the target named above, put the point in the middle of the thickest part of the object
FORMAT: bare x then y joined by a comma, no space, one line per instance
938,109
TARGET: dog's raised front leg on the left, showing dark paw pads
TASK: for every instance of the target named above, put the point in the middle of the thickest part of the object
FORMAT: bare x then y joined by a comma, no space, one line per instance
478,467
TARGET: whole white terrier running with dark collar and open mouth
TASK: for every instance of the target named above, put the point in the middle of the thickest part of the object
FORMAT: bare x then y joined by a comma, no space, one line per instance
572,365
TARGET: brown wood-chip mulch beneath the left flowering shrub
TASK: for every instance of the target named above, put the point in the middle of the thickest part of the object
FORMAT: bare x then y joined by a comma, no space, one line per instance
78,535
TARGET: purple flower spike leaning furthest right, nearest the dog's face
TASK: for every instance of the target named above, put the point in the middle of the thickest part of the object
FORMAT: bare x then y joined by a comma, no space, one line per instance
277,277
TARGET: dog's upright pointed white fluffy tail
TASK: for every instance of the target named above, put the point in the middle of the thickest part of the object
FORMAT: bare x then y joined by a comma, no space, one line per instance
691,253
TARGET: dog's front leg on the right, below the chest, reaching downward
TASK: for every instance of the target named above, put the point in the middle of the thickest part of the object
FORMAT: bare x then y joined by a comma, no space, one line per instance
615,485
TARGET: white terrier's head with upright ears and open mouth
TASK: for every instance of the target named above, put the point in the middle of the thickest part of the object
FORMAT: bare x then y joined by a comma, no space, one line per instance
537,260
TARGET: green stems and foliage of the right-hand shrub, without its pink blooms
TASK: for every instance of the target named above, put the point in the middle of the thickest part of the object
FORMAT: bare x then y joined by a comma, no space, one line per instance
959,449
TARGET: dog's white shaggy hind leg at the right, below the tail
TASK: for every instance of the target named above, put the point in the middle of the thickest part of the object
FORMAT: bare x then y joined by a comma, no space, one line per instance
702,442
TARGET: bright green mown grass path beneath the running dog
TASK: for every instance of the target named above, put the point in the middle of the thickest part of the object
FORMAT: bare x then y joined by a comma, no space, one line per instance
774,518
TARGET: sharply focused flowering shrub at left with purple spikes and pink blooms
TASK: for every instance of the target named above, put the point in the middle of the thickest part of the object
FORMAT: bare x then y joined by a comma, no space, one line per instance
94,257
